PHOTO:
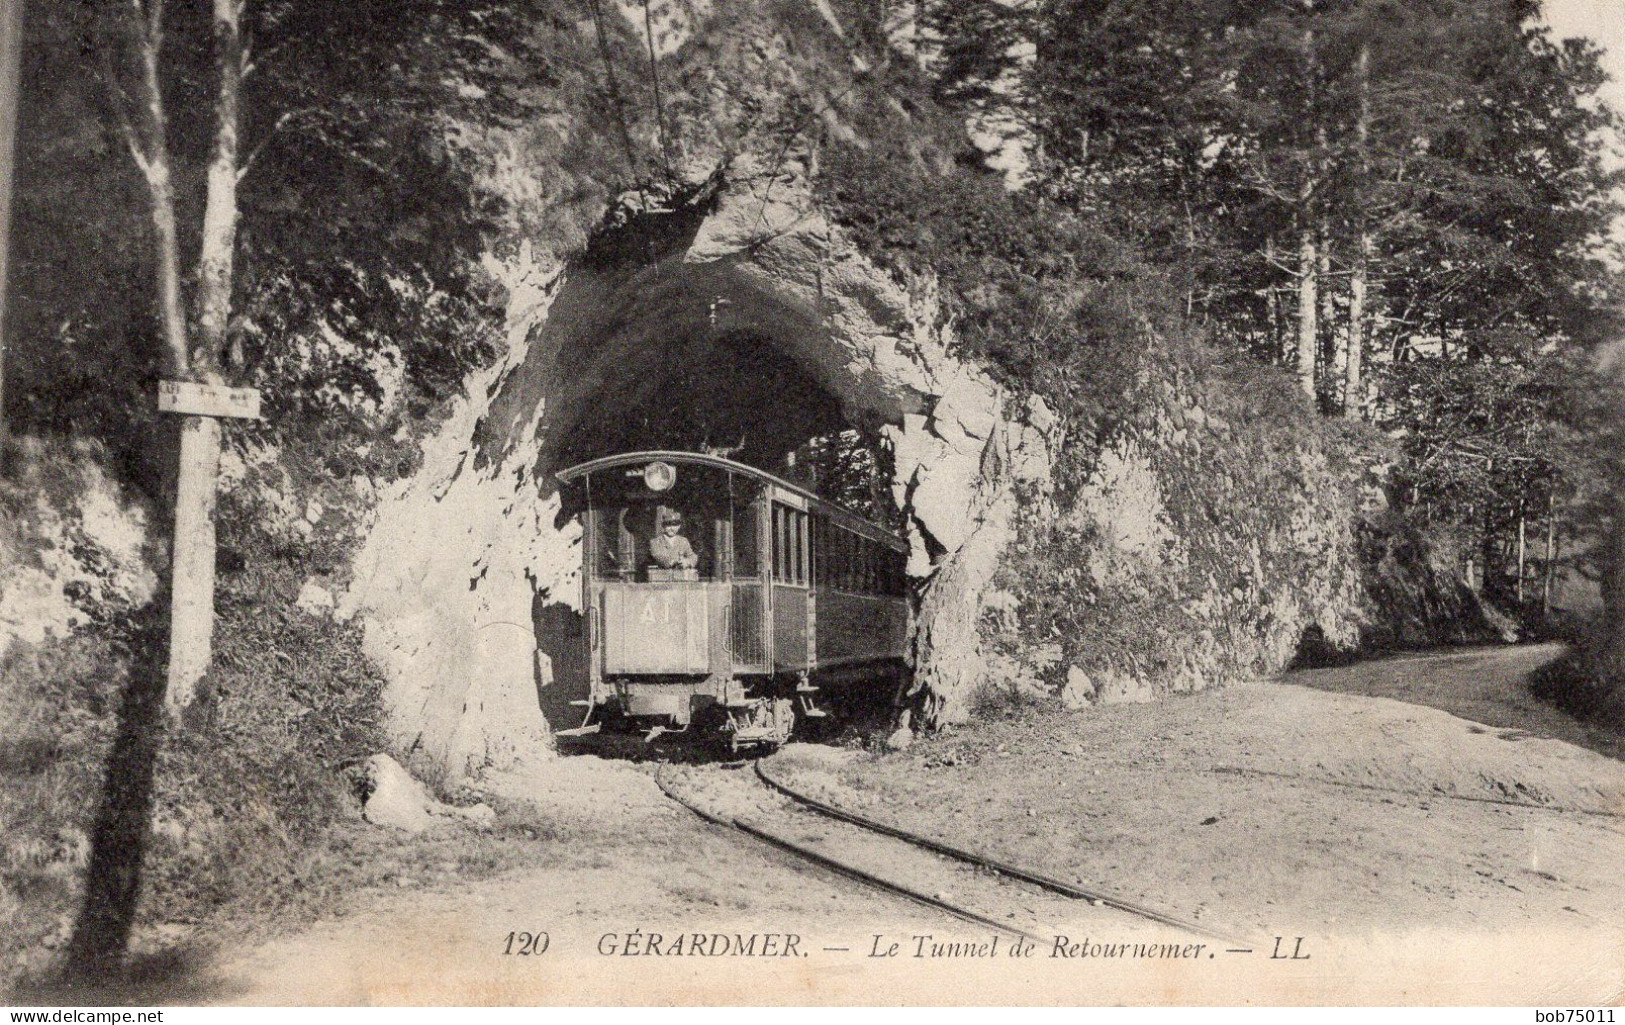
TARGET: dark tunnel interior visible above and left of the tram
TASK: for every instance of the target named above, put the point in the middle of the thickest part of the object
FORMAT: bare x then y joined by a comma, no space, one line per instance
649,352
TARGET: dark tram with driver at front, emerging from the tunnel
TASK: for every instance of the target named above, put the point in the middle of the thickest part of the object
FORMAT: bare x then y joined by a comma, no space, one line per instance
758,600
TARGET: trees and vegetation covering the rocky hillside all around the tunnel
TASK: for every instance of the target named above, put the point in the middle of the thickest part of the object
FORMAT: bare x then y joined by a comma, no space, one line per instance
1311,360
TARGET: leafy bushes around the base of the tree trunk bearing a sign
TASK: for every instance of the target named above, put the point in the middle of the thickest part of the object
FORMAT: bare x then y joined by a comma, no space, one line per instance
245,794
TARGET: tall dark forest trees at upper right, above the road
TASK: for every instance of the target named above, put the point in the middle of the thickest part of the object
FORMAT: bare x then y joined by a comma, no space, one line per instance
1405,202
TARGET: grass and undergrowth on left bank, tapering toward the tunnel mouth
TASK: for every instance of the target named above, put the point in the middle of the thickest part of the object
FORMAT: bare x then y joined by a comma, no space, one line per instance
253,820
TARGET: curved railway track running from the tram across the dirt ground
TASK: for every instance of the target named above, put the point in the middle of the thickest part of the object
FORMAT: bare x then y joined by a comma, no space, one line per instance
976,889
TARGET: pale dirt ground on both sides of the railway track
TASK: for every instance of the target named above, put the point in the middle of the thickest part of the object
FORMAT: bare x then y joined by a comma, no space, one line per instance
1423,858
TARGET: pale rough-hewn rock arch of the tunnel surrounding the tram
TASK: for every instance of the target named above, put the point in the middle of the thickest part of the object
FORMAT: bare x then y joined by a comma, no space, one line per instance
469,581
